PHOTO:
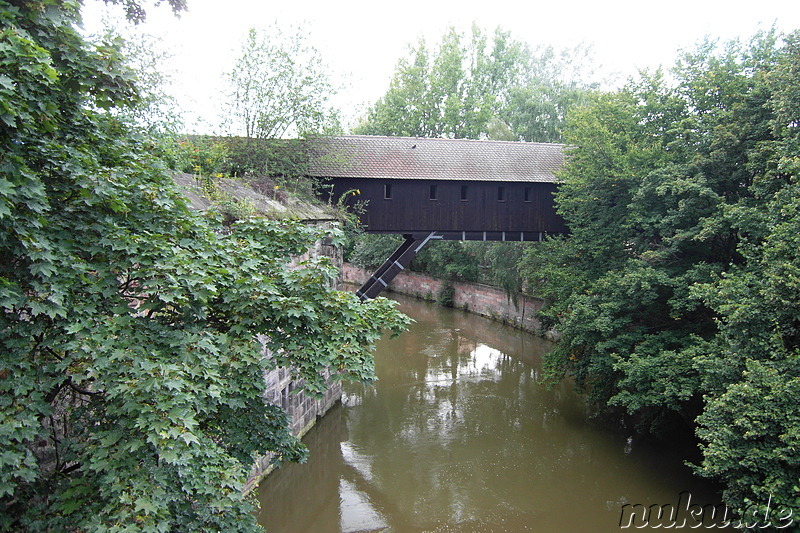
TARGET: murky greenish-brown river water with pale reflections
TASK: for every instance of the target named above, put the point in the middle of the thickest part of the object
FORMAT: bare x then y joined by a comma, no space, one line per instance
458,436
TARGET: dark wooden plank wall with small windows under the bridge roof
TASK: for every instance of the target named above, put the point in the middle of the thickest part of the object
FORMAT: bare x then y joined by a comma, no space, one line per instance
411,207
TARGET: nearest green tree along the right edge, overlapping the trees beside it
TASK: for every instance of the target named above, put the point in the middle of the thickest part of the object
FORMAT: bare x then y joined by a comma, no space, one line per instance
751,425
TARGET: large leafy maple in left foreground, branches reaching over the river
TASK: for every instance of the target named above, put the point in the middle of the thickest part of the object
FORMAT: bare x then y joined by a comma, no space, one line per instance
130,377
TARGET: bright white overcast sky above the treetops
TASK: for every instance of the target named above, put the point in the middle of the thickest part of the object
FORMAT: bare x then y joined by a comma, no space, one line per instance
362,40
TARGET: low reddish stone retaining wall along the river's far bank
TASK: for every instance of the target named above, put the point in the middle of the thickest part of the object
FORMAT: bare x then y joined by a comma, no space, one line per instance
484,300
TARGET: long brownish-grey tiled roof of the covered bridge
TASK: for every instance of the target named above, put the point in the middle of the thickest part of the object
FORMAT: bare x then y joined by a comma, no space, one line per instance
434,159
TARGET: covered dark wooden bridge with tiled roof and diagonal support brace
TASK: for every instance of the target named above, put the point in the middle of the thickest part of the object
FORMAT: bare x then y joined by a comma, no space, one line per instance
428,189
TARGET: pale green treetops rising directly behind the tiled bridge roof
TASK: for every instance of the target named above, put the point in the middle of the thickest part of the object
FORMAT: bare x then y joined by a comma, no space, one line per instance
473,87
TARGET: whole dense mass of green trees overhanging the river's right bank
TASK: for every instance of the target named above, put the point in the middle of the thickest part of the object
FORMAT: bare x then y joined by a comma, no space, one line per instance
675,292
